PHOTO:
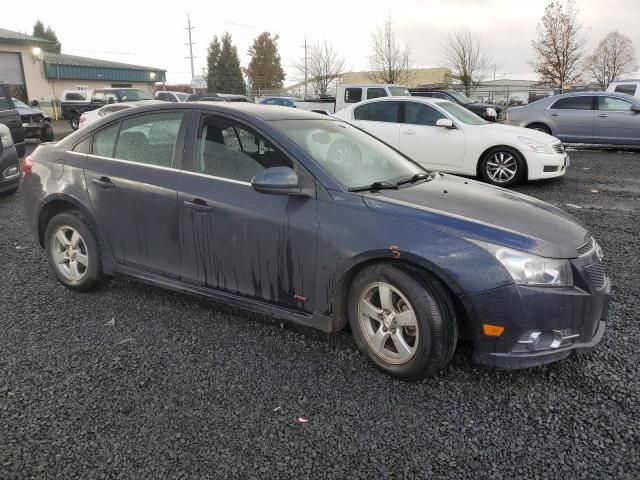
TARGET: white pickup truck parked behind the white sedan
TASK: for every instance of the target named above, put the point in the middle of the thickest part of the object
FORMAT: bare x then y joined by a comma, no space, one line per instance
347,94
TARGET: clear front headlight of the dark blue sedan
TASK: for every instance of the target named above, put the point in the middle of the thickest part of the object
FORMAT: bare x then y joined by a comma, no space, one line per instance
528,269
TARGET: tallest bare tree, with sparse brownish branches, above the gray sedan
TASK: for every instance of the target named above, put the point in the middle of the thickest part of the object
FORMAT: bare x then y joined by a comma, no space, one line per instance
560,46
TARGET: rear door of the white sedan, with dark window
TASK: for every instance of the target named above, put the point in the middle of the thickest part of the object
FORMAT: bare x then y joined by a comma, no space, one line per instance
380,119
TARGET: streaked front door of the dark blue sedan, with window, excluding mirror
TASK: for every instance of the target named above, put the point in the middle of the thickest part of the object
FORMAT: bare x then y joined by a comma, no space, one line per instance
235,239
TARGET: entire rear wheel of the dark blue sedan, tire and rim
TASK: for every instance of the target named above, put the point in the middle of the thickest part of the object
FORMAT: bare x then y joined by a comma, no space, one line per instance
62,254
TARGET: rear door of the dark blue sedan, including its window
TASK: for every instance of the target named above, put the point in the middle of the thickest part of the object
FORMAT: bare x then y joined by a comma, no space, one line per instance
132,177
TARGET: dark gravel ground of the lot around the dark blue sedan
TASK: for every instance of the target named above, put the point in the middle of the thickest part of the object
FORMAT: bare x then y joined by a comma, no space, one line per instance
136,382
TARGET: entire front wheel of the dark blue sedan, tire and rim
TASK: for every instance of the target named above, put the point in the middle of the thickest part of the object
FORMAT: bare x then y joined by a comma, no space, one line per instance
422,331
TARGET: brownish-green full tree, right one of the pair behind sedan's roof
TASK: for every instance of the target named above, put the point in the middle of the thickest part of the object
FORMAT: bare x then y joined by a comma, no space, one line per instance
265,70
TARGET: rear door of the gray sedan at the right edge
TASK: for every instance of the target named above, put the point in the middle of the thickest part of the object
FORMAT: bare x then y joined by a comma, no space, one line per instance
573,118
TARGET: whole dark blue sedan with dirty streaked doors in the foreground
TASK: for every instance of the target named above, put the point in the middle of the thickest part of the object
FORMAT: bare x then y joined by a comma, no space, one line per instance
309,219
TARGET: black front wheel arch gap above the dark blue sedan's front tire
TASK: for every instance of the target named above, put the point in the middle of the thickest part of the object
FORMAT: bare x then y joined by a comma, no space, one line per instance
407,261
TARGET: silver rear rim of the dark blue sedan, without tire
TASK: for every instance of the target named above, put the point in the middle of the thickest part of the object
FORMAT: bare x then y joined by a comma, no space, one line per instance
69,253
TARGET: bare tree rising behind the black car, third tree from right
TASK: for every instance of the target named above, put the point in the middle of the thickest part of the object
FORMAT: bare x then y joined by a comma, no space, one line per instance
467,59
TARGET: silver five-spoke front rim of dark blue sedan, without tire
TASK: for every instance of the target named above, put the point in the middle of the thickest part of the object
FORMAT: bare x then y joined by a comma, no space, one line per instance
388,323
